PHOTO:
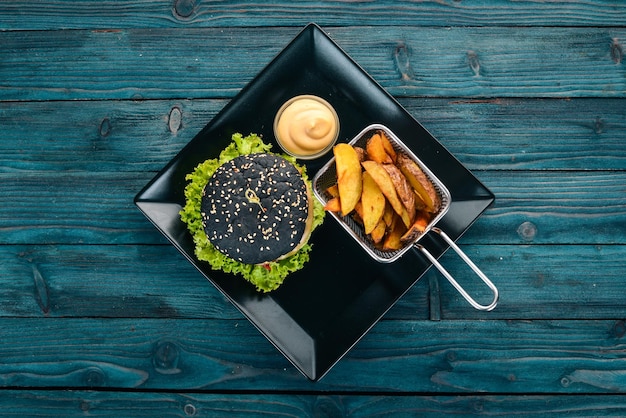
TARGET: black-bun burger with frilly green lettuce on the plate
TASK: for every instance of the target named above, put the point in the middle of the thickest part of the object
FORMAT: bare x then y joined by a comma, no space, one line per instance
251,212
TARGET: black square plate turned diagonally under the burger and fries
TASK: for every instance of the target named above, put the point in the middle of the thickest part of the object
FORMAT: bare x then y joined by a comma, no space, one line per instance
320,312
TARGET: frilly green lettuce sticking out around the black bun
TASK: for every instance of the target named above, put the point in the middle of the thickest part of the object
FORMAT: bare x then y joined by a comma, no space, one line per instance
265,277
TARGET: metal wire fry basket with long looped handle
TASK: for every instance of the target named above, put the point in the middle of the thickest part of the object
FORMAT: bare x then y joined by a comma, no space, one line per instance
327,176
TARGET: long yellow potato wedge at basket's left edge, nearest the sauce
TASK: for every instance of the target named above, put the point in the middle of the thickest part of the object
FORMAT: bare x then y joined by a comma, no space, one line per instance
349,179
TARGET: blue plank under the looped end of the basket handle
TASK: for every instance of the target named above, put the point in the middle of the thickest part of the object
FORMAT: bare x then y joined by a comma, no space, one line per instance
538,282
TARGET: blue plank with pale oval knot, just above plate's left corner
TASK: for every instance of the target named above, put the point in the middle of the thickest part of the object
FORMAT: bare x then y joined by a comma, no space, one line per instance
127,136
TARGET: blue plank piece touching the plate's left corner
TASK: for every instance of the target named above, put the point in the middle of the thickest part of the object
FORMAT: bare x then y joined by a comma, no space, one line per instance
74,208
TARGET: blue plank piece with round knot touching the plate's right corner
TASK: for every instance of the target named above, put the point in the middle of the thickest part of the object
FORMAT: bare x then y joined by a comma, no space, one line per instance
554,207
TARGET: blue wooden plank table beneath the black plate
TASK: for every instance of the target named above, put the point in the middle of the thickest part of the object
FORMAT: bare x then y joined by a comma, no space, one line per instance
100,315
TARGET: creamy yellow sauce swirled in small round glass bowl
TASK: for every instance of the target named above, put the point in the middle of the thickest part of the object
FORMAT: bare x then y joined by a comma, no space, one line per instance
306,126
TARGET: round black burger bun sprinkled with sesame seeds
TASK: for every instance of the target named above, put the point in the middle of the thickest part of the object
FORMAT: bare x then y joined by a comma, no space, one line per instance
257,208
